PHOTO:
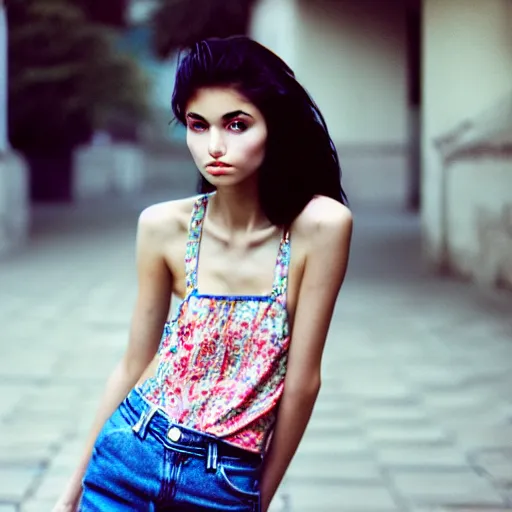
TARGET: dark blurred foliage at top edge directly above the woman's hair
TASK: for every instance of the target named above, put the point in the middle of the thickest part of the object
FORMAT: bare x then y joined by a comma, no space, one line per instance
178,23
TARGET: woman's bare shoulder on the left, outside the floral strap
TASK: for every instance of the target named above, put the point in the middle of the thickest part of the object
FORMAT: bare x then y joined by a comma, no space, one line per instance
166,218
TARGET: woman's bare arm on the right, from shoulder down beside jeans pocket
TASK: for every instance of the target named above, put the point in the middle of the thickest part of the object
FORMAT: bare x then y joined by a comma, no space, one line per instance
324,271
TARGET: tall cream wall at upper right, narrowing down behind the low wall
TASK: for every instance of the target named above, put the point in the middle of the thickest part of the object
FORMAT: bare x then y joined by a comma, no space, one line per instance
467,69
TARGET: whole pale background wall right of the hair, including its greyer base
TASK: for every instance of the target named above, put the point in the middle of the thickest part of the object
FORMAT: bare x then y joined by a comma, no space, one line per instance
351,56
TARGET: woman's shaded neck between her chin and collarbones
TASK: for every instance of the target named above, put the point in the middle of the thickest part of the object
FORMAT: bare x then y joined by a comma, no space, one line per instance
238,209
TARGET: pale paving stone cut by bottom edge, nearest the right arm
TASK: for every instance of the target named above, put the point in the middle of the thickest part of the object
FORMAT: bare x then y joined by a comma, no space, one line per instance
305,497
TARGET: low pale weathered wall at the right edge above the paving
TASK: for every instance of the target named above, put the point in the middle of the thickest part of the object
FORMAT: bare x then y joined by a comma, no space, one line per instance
479,218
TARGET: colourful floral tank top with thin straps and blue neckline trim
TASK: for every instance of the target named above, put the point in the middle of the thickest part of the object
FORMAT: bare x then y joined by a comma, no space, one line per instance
222,358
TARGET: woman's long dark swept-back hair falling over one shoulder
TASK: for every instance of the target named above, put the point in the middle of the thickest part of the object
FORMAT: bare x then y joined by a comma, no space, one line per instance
300,160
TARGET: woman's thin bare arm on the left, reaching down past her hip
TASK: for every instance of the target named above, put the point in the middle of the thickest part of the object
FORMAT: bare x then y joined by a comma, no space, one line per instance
150,314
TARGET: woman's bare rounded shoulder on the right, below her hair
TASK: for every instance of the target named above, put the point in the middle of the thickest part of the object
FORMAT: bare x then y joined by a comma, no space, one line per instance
323,220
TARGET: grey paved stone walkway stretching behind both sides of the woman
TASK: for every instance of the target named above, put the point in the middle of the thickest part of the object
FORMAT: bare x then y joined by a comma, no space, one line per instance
415,413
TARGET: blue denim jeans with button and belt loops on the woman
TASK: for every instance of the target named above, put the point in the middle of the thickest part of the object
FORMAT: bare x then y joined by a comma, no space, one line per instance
142,461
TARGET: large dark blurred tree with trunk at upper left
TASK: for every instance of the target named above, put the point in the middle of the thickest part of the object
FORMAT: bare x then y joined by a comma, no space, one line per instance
65,80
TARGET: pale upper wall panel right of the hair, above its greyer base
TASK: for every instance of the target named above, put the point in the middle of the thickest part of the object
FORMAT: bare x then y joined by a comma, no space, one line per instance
352,58
